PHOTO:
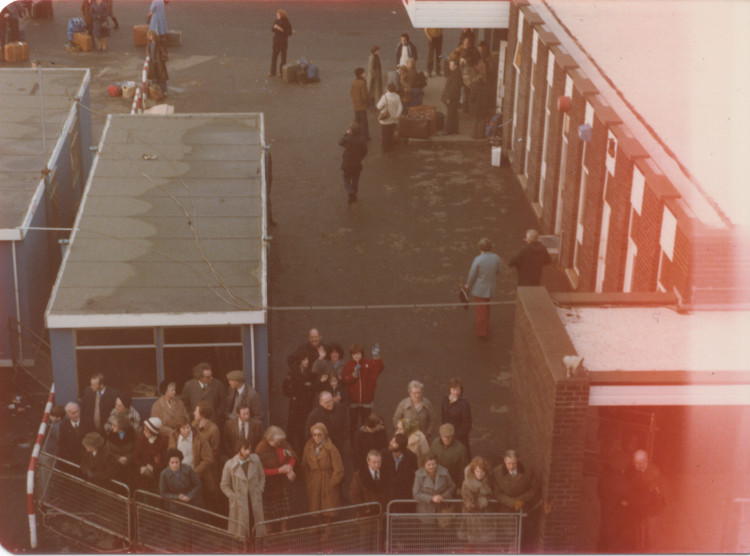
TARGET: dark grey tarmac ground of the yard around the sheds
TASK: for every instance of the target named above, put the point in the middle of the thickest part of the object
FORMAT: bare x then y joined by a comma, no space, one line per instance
409,240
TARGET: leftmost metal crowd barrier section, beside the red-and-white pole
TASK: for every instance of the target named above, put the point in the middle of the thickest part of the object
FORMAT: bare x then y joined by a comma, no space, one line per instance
87,514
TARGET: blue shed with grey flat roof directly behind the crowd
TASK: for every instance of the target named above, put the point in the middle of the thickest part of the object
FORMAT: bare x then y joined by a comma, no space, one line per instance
167,261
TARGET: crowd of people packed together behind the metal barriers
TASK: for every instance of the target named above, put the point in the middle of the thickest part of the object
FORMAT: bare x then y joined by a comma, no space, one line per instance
209,441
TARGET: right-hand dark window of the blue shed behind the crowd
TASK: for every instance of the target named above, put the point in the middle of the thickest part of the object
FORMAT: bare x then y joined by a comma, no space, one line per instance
179,362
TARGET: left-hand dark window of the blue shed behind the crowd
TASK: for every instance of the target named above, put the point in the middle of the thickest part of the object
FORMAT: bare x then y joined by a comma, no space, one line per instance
130,370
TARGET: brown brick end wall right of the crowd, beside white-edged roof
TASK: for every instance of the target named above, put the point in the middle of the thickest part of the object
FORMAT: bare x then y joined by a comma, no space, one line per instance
551,414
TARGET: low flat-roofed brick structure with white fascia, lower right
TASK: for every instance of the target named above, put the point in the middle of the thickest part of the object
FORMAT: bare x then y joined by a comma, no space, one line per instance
676,384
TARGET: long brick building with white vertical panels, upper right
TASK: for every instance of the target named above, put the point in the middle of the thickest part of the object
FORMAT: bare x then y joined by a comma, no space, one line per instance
641,189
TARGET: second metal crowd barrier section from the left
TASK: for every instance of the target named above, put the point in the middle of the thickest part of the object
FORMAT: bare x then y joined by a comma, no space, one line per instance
164,525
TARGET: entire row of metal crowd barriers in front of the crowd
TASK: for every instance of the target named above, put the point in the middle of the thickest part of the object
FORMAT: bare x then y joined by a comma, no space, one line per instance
107,519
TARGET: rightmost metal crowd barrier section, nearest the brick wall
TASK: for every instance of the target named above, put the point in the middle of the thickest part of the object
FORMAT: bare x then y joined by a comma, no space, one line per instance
451,531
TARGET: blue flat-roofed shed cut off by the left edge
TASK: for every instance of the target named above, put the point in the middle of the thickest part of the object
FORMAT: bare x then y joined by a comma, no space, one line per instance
45,135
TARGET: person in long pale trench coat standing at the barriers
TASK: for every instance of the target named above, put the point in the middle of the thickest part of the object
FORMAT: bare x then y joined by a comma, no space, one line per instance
242,482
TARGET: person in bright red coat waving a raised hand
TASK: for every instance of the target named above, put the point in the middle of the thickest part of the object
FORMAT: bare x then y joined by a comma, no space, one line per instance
360,376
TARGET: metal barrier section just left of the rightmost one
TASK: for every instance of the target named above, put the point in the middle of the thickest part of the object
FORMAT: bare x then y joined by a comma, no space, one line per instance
353,529
